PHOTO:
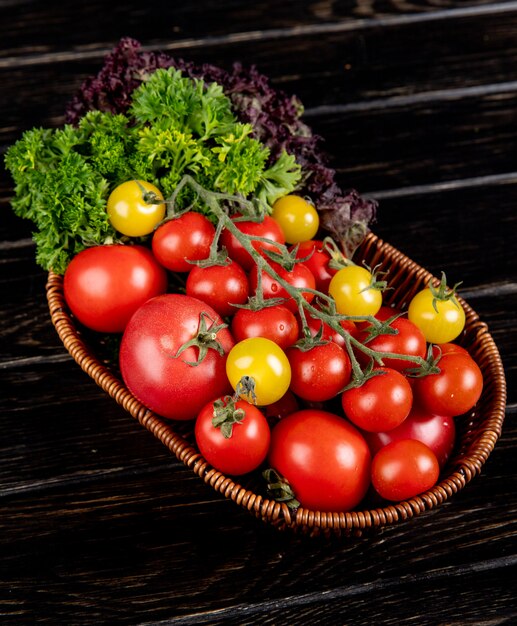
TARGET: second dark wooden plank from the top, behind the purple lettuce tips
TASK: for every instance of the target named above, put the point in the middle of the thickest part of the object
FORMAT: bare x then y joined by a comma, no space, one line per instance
322,68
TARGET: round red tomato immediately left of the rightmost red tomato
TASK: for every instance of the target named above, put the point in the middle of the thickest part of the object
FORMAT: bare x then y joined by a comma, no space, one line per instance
381,403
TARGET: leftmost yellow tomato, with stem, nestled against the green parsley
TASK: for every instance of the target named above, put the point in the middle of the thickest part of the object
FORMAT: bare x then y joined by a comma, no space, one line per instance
128,211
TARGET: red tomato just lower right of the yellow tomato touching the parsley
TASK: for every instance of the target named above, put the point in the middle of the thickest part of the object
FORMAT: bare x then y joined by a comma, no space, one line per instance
183,239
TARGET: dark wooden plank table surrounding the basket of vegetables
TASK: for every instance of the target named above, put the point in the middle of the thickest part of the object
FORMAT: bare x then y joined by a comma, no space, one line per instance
99,523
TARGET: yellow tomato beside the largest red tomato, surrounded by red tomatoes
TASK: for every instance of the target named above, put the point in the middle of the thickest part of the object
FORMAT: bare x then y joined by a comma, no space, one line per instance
264,362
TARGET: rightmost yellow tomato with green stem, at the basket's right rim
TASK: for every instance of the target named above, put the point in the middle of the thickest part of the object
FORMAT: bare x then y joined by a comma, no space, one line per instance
441,320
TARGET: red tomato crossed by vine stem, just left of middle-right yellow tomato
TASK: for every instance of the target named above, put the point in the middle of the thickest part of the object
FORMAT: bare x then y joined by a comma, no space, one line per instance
299,277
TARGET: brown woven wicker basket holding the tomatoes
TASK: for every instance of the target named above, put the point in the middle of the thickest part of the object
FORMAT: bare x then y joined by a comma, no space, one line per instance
477,432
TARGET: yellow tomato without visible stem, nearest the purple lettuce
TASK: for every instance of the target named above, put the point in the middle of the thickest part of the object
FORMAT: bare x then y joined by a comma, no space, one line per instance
298,219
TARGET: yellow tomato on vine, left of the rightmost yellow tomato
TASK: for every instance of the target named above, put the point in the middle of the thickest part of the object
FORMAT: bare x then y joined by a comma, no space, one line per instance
355,292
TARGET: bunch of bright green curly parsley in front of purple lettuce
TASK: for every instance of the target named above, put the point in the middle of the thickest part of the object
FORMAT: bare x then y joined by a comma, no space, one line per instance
175,126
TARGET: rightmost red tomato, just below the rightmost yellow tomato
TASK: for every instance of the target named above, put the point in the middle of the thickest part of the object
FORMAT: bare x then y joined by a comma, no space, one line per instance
455,390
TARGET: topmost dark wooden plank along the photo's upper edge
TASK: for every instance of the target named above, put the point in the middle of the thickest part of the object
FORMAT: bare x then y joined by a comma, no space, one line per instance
181,25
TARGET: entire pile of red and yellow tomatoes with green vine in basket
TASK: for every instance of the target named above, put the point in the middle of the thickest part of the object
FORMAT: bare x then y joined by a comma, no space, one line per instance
278,347
